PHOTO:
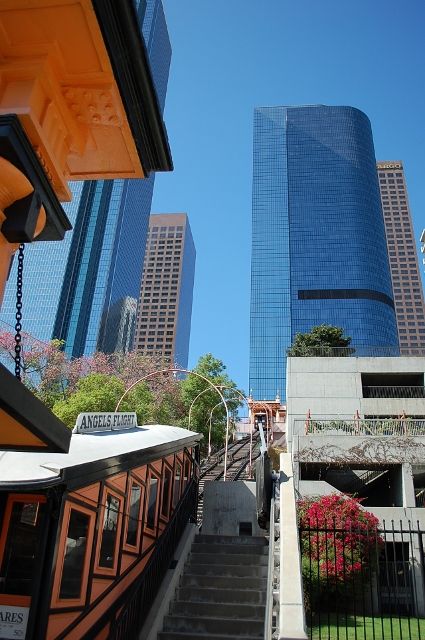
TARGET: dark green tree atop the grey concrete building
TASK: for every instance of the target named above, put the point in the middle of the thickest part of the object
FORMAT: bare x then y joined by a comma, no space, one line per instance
321,341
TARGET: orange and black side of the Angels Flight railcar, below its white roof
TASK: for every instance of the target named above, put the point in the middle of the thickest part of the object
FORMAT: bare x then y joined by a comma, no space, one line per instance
81,590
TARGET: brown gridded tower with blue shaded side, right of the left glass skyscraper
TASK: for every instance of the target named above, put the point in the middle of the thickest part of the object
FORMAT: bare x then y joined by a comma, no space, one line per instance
165,305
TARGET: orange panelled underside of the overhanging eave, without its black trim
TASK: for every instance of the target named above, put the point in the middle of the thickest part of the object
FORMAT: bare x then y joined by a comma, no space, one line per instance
57,76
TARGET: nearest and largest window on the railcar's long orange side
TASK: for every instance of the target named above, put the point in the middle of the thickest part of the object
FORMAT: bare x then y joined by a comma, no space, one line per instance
75,553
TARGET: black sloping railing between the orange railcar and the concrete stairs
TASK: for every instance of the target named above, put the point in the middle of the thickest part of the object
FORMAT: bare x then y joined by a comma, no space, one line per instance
135,604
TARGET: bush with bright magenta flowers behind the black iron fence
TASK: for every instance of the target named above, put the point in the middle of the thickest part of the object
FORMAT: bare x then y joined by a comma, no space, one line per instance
339,544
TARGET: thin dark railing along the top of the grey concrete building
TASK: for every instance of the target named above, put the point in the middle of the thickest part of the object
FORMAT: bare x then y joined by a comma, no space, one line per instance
356,351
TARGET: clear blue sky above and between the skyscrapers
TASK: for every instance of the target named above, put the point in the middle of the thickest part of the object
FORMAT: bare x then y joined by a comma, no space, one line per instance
230,56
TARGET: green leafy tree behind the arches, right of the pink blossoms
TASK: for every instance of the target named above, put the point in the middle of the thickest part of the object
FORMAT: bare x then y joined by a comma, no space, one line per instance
214,370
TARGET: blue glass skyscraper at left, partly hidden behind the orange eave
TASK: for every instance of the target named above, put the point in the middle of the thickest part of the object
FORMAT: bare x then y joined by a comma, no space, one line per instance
88,285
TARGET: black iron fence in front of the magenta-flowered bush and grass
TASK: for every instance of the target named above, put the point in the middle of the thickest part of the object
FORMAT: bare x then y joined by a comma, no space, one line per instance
361,584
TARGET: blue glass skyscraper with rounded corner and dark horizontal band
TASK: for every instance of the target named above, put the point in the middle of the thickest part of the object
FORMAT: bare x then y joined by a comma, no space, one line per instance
319,251
